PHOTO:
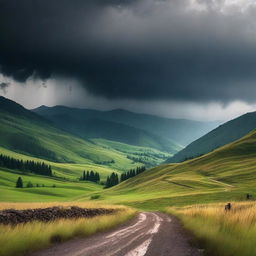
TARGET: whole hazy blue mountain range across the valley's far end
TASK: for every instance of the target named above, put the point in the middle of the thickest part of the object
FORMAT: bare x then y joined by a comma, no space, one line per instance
127,127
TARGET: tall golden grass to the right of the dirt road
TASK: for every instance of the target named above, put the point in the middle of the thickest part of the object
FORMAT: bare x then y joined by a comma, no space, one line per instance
220,232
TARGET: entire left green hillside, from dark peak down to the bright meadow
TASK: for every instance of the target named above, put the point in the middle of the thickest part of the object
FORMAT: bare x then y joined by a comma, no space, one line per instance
28,136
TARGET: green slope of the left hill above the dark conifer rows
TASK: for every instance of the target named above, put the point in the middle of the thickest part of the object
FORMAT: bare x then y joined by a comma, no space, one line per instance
33,136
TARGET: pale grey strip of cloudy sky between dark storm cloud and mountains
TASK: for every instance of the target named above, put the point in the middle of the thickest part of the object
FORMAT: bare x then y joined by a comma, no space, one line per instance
57,92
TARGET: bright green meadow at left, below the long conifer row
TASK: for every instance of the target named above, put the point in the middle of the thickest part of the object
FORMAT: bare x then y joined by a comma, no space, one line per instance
64,190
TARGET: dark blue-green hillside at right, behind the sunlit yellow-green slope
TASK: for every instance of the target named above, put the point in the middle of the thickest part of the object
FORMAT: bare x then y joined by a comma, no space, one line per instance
224,134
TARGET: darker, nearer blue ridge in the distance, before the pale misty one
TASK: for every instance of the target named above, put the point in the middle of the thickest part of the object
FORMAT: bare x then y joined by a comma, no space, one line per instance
89,124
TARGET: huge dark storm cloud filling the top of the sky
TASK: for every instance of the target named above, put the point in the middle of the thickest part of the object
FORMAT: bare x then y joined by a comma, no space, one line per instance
144,49
